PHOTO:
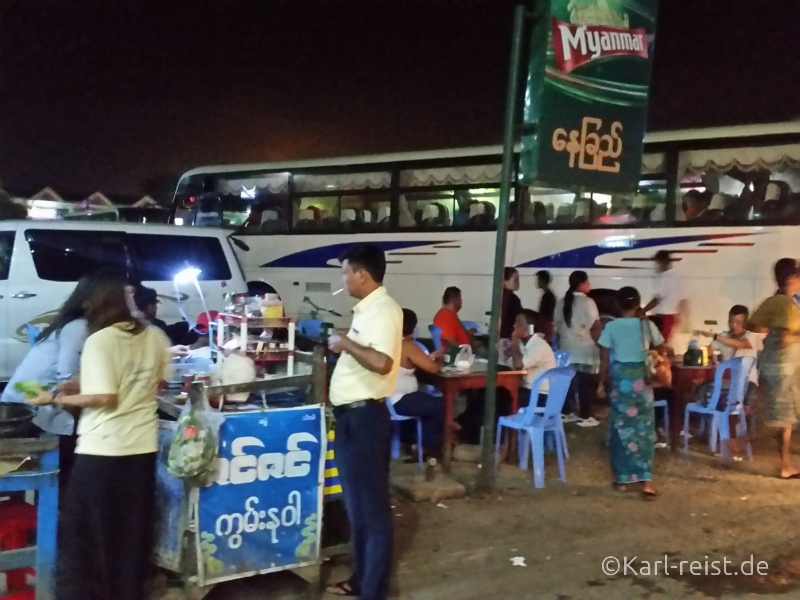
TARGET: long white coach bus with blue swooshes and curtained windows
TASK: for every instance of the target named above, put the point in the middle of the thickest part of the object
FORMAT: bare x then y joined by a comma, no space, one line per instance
724,201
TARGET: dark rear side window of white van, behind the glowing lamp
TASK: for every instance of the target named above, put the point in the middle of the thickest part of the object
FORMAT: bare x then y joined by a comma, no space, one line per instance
160,257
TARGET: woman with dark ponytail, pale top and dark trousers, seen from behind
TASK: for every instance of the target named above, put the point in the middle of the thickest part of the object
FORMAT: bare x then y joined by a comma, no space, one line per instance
577,322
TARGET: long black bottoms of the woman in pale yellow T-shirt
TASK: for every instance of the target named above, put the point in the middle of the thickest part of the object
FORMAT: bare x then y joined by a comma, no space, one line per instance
106,533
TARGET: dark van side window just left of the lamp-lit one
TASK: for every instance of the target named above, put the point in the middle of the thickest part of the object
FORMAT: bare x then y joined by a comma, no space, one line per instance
64,255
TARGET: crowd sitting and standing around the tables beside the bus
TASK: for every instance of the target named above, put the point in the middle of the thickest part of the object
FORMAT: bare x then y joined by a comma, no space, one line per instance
626,361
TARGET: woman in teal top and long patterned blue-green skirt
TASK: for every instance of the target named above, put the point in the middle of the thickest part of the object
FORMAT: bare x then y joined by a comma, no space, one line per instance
632,442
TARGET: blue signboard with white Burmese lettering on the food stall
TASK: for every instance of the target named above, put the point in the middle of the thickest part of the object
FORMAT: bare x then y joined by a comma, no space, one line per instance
263,513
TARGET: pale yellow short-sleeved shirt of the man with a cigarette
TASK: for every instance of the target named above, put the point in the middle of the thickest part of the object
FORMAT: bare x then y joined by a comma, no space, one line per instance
377,323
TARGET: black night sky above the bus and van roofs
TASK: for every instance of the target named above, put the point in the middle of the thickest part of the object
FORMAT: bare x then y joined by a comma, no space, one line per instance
106,94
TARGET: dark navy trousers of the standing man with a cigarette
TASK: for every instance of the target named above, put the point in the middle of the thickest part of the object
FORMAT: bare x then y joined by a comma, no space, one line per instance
363,453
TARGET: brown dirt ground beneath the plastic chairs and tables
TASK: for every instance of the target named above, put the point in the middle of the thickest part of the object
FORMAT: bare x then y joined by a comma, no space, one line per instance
463,549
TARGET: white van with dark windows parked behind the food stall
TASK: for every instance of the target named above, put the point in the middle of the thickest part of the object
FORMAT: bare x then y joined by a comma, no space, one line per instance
41,261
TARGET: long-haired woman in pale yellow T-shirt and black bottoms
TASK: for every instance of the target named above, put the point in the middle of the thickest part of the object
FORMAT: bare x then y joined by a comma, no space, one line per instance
108,508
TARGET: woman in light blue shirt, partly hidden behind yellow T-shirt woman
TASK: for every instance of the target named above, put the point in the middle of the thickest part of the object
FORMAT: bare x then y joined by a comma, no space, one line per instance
54,359
